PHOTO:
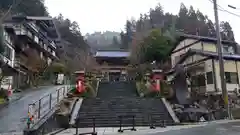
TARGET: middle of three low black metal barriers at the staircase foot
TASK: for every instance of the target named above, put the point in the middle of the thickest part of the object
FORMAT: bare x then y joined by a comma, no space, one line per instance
121,117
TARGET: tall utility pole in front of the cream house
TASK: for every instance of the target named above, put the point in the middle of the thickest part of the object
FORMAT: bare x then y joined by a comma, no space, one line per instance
220,59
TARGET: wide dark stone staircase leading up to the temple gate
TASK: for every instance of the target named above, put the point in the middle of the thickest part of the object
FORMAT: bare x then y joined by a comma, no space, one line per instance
120,99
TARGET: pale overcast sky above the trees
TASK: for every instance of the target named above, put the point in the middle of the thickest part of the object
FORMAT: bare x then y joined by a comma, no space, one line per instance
103,15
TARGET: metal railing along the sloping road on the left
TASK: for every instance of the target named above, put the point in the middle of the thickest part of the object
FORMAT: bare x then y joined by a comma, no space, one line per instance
38,109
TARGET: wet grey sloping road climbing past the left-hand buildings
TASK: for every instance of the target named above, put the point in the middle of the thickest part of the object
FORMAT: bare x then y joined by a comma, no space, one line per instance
13,117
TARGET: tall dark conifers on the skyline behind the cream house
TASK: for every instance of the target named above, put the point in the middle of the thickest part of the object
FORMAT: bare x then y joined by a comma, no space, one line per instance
188,20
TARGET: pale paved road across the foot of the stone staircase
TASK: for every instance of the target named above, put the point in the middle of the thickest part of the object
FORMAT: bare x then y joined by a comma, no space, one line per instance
223,127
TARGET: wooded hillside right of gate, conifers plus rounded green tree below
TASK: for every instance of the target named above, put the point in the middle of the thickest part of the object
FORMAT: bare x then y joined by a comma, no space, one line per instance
188,21
